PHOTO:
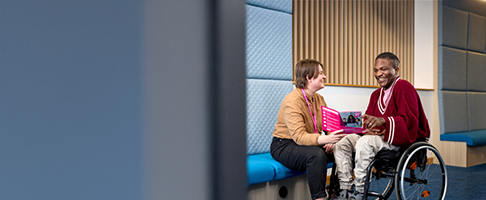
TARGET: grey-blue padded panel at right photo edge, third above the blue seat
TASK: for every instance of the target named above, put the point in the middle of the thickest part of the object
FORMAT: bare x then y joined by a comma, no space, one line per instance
477,32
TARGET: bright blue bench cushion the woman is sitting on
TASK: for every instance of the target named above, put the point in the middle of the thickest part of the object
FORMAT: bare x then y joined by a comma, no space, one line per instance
263,168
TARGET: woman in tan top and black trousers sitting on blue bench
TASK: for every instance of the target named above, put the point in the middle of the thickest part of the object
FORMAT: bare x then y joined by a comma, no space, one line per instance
297,140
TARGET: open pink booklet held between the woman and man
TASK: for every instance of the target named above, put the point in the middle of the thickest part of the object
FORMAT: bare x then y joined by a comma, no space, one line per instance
333,120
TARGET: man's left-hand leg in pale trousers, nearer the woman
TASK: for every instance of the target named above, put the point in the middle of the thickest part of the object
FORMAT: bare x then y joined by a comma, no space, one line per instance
343,156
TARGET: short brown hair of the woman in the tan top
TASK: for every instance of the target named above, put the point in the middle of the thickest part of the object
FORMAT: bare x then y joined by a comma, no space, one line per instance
304,68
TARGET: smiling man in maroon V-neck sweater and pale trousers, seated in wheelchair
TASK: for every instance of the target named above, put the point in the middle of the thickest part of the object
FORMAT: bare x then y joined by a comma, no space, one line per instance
394,118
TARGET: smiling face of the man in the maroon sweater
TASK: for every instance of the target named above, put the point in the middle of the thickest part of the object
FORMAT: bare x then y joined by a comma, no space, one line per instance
385,72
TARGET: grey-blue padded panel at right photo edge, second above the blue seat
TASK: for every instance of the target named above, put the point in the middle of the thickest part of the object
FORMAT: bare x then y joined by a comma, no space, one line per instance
476,71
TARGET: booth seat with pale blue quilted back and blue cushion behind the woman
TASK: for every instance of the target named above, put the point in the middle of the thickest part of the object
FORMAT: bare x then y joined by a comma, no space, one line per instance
269,80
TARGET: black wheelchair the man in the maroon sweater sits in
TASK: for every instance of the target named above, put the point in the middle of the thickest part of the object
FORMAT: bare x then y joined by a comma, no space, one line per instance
417,172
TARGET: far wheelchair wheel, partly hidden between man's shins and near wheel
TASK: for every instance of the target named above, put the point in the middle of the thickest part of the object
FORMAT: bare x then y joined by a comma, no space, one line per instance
379,184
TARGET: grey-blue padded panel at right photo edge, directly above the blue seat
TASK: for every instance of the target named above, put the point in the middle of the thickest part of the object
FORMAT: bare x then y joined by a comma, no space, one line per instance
477,109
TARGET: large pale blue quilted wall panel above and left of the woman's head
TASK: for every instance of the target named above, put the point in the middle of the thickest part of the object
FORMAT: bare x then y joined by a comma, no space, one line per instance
268,44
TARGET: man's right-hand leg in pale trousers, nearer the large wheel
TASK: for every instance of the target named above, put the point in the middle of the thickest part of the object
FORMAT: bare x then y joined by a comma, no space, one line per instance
366,149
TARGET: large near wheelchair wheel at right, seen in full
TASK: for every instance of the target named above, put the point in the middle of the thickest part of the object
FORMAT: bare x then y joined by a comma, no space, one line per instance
421,173
